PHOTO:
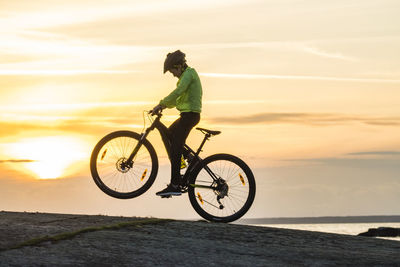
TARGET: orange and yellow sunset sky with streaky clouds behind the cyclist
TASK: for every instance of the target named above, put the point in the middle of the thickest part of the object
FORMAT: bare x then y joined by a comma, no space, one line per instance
306,92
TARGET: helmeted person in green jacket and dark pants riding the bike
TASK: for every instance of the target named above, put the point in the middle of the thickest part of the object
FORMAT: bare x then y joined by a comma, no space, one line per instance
187,99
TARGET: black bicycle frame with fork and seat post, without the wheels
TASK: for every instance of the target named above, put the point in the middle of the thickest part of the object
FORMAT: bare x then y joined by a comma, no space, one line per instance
165,136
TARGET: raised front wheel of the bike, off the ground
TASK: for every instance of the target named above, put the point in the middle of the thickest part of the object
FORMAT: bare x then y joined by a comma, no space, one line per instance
111,172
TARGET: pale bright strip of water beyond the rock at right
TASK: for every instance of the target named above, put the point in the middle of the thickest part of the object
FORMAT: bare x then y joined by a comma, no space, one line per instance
337,228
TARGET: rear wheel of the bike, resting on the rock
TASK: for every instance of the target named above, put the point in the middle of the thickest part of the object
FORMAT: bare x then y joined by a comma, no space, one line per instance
222,188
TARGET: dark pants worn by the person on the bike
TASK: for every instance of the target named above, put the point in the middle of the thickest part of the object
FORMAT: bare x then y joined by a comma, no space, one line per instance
178,132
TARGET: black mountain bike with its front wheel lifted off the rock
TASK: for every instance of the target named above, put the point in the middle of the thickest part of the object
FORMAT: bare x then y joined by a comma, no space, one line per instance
221,187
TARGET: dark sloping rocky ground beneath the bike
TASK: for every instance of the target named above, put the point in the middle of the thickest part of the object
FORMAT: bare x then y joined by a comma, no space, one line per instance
37,239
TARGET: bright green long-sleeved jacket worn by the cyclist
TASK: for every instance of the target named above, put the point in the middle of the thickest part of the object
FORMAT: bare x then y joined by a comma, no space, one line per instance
188,93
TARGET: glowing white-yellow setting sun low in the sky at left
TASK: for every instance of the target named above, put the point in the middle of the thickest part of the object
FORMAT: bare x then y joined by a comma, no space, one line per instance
51,157
